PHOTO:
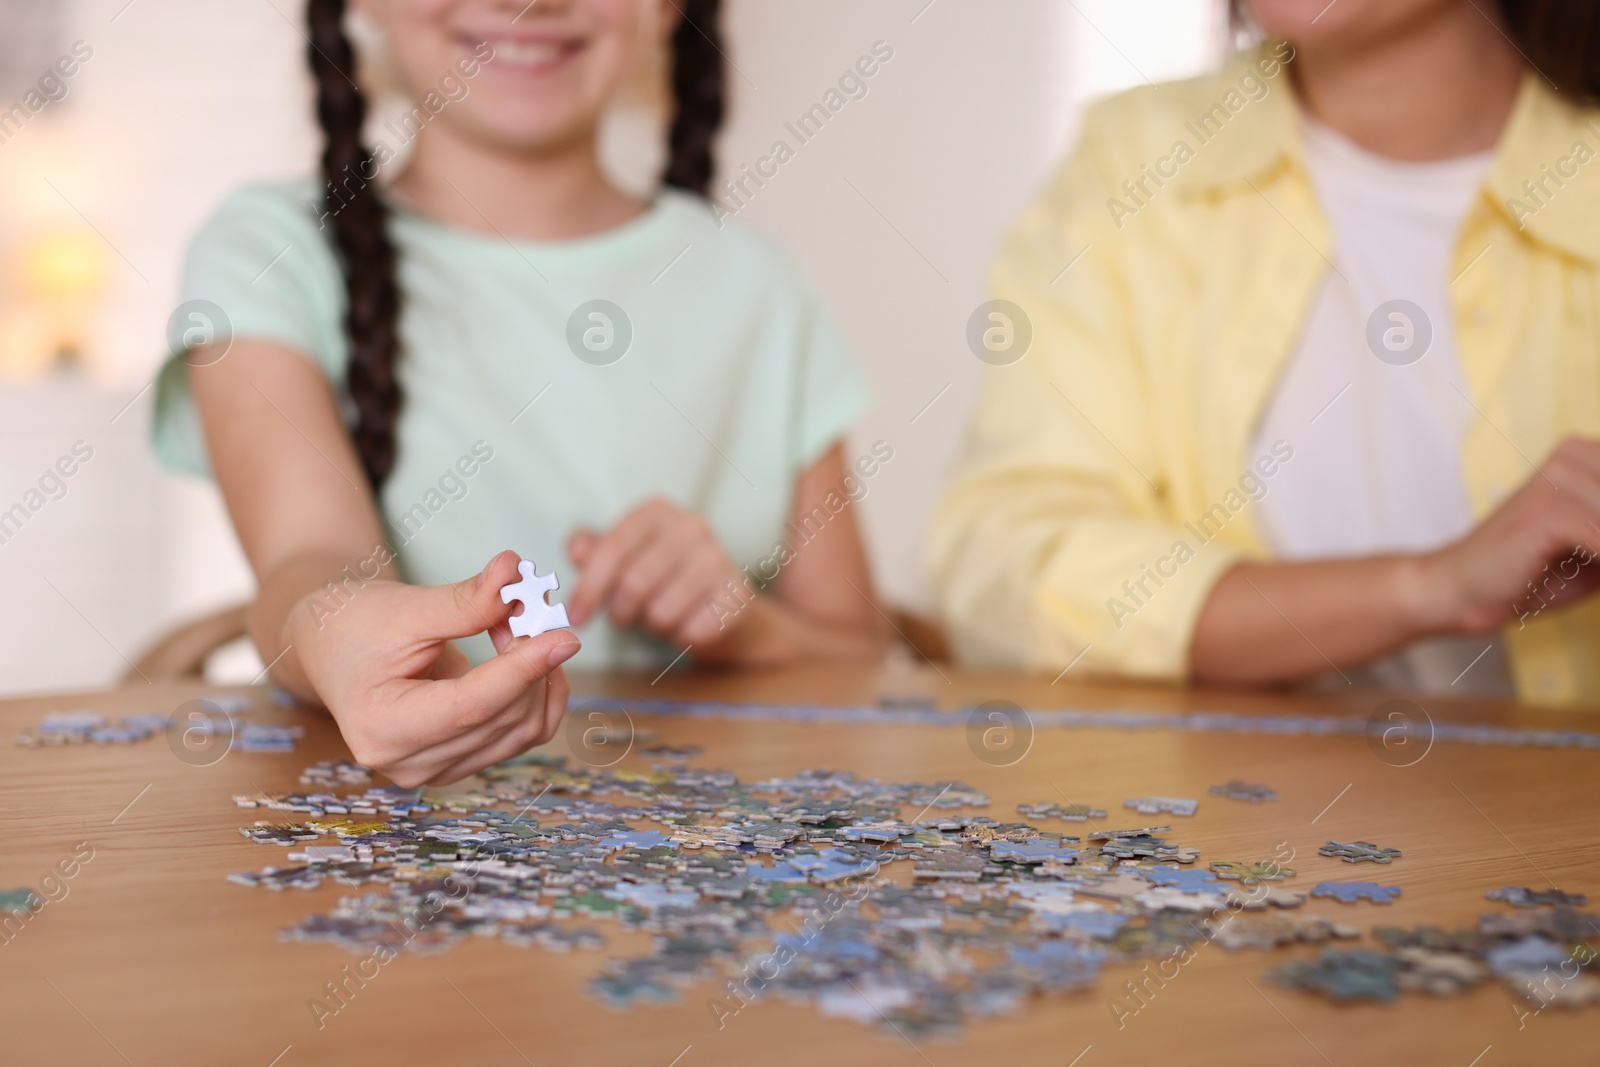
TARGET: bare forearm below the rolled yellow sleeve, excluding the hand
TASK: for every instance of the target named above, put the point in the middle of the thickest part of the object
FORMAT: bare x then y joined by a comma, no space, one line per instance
1268,623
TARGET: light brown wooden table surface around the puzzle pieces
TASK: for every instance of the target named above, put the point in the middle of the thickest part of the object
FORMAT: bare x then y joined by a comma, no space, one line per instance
154,959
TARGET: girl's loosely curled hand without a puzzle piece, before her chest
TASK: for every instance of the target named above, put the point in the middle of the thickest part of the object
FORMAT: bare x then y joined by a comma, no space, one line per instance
660,567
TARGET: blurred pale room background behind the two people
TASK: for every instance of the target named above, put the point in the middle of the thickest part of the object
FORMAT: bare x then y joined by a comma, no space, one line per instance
895,212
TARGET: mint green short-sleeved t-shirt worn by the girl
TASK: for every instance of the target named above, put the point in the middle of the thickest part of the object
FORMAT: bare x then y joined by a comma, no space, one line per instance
734,380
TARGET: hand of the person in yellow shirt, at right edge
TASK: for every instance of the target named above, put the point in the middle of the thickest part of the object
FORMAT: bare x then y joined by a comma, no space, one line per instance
1535,551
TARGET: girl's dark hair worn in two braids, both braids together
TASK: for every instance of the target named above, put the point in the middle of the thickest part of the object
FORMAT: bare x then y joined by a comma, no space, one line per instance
361,220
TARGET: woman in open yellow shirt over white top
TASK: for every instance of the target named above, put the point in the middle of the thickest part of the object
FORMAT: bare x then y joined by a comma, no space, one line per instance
1281,423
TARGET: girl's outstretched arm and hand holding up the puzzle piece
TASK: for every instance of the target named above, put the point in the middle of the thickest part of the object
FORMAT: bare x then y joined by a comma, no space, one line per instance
378,653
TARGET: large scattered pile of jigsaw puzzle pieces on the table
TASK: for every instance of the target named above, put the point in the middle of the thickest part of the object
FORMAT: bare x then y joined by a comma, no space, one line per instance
887,903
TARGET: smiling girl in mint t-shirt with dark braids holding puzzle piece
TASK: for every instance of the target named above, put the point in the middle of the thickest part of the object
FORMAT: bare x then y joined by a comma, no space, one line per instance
502,348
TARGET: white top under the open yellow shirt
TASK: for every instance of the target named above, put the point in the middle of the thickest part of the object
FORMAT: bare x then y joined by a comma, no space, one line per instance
1370,401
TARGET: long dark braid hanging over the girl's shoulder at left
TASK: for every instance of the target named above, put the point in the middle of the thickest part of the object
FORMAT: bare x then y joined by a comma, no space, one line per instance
362,238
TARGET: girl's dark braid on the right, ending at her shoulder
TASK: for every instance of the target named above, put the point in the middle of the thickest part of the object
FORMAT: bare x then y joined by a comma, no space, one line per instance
700,94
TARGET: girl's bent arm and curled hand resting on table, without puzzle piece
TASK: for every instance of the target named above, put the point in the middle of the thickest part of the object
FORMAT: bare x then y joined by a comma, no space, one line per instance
663,569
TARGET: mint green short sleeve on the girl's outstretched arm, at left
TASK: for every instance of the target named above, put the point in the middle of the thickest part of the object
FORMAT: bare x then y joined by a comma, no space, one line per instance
260,270
